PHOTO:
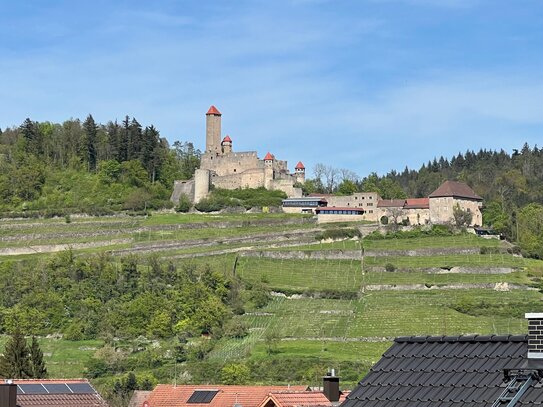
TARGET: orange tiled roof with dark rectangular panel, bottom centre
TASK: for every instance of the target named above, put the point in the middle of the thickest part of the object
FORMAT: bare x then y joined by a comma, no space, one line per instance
165,395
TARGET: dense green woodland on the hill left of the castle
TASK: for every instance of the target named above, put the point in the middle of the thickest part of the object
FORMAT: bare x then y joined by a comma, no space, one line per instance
89,167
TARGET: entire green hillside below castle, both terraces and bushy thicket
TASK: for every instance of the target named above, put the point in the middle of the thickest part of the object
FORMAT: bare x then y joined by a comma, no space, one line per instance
281,297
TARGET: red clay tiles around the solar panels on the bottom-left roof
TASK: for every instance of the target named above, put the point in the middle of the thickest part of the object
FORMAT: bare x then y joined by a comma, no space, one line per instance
60,400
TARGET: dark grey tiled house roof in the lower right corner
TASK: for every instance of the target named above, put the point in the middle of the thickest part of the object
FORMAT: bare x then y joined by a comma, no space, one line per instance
444,371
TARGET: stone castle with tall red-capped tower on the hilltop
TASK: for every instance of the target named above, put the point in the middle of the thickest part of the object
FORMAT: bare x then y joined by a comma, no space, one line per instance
221,167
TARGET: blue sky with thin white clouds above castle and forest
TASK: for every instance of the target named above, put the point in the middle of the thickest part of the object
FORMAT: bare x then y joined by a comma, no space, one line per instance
368,85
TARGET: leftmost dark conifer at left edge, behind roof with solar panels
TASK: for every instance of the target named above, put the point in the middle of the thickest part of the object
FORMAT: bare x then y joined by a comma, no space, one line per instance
15,362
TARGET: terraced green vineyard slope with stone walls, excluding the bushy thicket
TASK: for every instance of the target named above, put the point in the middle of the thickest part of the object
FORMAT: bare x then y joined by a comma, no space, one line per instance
331,301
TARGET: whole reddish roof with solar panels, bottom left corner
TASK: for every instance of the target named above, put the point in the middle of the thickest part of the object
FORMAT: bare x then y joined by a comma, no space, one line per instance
60,393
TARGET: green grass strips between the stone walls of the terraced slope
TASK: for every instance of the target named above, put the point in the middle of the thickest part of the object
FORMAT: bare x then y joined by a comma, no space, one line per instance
328,329
